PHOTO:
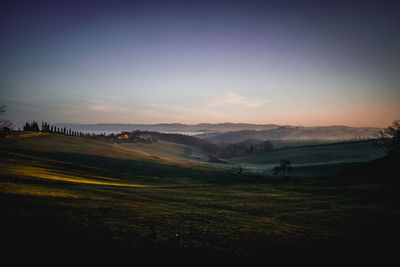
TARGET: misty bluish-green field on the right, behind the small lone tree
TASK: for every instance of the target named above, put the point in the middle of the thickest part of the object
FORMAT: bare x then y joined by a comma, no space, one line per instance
312,161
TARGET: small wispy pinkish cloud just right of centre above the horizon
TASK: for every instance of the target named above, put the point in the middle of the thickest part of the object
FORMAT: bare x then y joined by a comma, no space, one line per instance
229,99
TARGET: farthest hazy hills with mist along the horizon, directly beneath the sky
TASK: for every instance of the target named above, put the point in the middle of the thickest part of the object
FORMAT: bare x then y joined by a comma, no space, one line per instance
218,132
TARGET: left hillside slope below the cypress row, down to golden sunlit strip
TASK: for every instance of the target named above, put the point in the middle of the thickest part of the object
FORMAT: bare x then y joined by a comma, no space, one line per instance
87,161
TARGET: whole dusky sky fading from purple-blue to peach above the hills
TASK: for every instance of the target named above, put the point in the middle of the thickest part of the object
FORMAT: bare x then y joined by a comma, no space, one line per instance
304,63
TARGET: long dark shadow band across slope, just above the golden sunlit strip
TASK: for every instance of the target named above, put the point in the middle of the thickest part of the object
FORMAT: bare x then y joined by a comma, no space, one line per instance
87,166
